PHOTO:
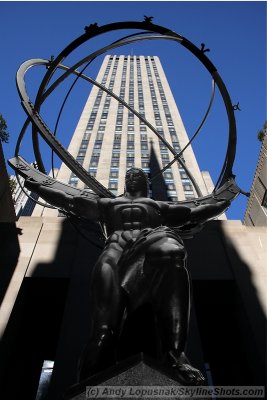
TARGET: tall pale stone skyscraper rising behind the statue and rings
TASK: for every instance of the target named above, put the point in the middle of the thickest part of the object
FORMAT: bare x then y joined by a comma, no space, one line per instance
109,139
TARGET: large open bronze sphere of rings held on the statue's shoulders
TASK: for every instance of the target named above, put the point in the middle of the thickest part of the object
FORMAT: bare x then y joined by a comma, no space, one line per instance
225,187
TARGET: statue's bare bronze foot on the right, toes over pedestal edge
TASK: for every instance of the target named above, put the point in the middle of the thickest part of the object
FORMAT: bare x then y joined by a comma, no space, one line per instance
187,374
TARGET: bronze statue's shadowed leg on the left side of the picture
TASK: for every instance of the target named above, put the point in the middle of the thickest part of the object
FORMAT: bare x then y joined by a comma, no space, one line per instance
108,308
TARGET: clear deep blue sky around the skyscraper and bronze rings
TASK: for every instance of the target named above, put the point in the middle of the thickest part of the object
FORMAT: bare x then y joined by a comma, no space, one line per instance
235,33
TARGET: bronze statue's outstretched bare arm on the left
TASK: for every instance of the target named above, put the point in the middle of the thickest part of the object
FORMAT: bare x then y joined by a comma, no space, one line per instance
78,205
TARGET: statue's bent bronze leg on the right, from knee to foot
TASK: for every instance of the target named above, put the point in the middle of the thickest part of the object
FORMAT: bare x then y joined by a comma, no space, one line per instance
171,301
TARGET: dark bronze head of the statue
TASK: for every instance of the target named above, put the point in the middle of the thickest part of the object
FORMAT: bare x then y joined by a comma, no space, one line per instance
136,181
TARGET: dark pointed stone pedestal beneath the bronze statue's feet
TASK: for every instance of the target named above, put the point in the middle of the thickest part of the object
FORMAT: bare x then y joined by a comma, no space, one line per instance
137,378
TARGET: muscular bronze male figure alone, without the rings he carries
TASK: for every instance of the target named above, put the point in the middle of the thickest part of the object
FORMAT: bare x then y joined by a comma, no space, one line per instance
144,260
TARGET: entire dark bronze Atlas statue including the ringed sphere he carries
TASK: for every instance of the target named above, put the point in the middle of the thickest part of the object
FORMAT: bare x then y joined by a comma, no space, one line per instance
144,258
